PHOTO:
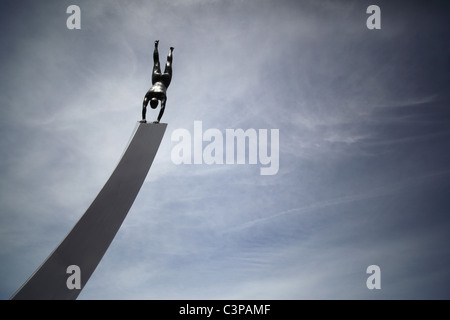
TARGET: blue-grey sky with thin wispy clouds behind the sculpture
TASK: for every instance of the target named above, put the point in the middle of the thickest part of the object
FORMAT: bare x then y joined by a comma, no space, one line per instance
364,160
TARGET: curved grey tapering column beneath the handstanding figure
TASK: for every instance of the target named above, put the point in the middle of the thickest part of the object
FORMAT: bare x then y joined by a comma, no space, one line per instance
88,241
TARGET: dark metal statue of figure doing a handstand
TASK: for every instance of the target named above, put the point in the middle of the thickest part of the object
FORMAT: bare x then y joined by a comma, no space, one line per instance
160,83
